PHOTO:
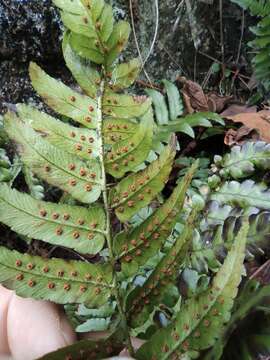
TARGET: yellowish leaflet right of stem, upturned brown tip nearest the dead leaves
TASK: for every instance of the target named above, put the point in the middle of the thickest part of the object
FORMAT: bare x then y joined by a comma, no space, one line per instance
137,190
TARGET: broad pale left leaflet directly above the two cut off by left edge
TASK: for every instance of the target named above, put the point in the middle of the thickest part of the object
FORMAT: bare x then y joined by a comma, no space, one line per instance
53,165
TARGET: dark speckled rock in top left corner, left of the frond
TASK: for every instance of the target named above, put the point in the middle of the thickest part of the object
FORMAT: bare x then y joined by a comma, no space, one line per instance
30,31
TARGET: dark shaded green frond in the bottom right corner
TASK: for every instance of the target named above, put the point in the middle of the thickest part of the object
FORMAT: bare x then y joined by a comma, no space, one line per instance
251,297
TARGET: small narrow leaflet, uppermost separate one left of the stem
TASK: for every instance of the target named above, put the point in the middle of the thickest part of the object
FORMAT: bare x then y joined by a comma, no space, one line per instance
86,75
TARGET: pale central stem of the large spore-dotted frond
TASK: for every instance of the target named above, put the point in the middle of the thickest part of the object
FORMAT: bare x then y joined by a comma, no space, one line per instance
108,234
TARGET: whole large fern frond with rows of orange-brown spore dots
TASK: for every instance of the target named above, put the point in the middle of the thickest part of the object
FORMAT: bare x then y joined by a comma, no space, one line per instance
94,154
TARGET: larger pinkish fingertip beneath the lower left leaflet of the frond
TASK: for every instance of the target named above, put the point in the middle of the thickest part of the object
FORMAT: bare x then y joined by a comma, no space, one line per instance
36,328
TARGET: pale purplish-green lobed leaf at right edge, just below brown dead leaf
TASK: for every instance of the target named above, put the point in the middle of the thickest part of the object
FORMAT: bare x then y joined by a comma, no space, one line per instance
243,160
